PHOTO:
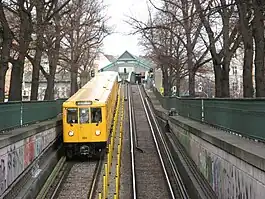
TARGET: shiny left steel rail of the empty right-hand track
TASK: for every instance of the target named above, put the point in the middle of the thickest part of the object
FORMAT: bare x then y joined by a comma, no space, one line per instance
132,147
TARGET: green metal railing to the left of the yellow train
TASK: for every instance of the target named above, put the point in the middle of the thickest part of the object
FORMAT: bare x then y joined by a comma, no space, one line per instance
16,114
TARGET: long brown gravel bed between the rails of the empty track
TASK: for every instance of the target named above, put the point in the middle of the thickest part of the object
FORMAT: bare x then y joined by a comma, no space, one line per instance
149,174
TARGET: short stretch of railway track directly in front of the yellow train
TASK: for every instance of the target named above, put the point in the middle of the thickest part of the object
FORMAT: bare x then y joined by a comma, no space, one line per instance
72,180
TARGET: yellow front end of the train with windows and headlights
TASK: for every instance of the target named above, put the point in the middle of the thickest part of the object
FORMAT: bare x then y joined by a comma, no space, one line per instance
84,127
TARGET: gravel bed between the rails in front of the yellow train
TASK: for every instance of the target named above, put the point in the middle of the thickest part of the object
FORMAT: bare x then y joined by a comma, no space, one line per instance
78,181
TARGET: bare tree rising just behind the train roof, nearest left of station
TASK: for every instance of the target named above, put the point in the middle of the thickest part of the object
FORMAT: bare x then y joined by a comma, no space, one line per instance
85,30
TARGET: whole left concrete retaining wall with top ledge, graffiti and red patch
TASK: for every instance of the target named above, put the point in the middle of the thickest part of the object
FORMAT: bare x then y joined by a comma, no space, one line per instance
19,148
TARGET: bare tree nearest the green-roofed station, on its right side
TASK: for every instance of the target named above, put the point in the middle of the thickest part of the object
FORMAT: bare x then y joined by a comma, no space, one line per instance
165,50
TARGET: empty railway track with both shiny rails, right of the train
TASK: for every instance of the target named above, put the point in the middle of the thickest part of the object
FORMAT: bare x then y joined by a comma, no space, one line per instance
150,177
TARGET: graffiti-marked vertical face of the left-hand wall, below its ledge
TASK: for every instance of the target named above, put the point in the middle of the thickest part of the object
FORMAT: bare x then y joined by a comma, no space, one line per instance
15,158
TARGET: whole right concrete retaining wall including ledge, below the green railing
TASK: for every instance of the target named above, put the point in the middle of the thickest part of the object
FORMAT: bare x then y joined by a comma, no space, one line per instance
234,167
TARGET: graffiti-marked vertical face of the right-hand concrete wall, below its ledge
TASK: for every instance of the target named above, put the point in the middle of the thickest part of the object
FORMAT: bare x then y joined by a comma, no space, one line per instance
227,179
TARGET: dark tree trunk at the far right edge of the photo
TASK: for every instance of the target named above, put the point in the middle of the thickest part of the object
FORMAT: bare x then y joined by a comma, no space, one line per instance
258,33
